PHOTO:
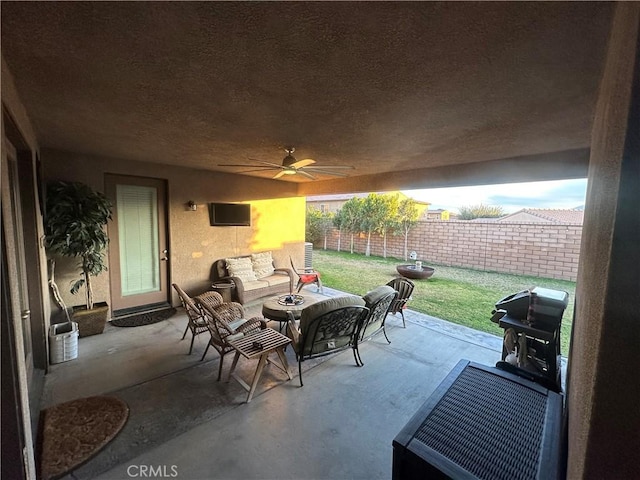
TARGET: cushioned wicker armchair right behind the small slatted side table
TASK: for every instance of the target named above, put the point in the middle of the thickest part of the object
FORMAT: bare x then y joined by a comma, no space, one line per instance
225,322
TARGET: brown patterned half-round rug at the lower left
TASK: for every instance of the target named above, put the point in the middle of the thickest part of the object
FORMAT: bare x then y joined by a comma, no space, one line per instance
73,432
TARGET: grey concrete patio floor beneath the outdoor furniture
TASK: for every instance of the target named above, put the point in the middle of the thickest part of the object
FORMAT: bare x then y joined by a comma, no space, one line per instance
339,425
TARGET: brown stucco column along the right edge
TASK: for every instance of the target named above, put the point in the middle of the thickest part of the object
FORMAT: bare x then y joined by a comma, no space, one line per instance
604,365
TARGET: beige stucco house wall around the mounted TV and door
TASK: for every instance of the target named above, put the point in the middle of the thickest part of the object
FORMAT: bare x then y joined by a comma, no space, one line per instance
277,219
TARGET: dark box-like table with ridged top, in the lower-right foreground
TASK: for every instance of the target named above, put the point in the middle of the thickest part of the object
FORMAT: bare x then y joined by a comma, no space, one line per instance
482,423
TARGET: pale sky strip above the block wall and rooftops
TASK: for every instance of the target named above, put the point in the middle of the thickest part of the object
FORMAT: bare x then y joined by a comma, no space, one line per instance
564,194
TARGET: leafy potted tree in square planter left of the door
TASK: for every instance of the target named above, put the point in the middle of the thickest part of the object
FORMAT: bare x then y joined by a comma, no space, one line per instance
75,218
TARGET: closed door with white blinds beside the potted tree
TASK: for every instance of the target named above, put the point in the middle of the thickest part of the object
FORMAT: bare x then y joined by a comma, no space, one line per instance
138,254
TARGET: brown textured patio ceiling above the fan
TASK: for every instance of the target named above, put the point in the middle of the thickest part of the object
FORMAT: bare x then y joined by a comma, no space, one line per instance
409,88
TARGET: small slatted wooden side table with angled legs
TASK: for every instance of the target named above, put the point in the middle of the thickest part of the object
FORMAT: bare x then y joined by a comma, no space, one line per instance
271,341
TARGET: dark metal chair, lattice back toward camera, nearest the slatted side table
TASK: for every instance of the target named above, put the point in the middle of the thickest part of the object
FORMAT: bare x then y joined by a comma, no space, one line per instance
326,327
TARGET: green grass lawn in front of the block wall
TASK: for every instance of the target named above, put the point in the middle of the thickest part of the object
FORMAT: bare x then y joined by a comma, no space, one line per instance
459,295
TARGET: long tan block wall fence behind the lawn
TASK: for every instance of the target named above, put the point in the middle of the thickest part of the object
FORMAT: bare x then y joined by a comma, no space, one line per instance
541,250
